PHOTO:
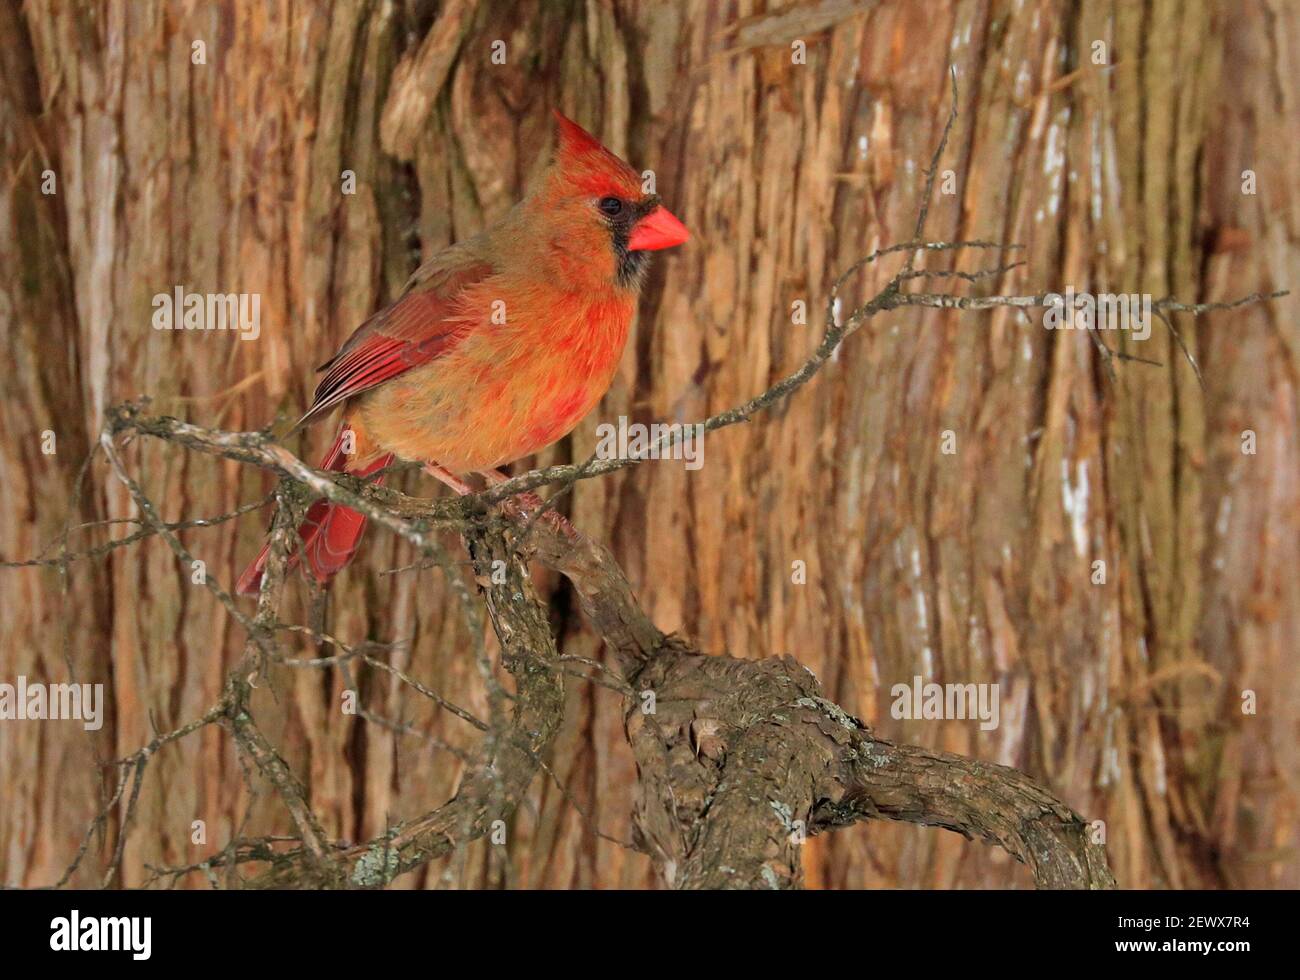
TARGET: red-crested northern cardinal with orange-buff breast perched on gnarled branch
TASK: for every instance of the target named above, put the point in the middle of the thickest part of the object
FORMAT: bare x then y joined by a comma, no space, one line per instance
499,345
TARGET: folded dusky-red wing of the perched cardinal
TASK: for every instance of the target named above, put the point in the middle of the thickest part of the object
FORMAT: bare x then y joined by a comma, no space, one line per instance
419,327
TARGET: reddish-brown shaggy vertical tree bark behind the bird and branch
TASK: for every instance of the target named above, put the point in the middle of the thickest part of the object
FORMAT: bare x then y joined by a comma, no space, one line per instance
977,567
